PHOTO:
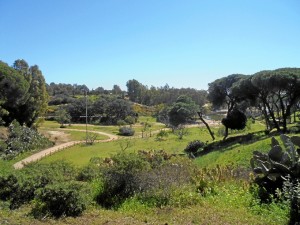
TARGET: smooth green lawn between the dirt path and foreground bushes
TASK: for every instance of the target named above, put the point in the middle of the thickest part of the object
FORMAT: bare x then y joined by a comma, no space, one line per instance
81,154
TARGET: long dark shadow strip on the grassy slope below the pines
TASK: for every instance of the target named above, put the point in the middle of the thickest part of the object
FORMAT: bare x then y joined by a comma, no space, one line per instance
228,144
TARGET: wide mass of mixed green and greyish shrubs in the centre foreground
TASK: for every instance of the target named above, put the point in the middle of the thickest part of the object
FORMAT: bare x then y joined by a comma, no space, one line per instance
150,177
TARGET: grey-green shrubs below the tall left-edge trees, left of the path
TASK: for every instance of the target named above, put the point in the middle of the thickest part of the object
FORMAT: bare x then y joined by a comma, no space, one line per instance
22,139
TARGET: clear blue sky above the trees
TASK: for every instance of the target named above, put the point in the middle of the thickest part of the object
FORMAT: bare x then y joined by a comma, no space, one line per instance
185,43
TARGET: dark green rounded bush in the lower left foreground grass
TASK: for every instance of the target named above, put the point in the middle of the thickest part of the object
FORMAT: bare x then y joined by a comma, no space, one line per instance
63,199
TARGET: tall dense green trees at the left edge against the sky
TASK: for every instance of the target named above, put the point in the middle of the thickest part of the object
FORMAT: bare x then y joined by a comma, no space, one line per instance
23,93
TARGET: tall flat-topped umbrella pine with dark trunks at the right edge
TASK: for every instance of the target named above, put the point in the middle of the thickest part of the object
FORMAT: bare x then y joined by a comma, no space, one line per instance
278,91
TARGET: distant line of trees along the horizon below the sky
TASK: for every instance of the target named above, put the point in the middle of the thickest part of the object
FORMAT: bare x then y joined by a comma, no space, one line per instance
136,92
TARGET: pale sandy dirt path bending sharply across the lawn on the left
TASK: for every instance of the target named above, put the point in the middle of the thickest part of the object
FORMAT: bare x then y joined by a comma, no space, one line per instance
48,151
